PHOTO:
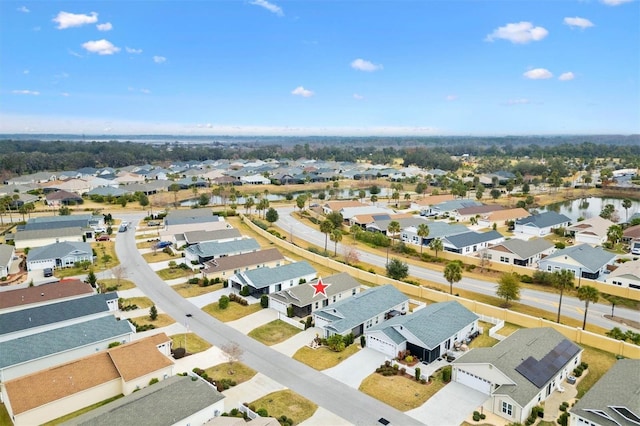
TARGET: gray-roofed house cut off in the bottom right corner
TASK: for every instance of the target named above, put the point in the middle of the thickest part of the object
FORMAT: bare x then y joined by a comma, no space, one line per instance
612,400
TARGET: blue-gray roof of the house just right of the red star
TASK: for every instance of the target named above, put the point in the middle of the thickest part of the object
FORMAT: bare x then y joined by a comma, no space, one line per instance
347,314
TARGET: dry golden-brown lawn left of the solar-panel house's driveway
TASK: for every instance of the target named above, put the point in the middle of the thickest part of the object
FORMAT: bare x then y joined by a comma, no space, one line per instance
400,392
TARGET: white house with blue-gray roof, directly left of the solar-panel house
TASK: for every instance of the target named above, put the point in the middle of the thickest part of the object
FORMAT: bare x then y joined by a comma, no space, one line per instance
427,333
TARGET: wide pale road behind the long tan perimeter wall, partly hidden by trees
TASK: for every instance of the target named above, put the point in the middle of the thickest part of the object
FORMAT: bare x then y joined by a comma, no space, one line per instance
571,306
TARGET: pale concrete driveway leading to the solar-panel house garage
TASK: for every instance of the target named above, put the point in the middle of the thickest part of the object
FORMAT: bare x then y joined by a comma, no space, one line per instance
451,405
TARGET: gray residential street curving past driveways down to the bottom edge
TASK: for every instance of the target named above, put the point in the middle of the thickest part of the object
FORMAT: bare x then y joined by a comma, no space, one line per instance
348,403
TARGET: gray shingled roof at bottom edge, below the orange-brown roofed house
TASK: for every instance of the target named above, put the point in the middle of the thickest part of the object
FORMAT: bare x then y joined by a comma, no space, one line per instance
162,404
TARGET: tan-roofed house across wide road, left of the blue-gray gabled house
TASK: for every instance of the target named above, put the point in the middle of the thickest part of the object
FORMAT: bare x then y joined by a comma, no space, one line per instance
519,252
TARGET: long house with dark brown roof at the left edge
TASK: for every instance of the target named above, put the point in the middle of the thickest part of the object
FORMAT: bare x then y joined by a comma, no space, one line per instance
13,300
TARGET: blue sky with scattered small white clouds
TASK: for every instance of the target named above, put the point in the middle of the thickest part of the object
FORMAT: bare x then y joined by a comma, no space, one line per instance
449,67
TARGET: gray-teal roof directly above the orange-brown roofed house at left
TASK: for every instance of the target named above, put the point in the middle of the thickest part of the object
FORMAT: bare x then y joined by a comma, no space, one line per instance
39,345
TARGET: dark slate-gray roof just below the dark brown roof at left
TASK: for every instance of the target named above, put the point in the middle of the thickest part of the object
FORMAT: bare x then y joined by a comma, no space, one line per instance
54,312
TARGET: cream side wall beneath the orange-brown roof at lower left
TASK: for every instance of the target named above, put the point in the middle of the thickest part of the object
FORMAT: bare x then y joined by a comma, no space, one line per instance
67,405
